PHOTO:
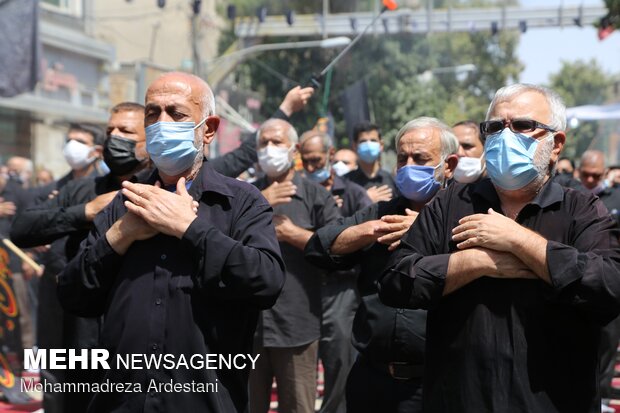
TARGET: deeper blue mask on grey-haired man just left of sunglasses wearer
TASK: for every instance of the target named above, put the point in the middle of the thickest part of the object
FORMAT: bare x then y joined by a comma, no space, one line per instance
417,183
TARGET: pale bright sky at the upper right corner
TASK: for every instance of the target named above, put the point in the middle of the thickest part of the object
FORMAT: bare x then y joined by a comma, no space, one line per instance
542,50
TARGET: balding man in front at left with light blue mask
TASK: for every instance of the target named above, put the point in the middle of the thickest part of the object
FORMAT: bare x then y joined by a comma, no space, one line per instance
180,266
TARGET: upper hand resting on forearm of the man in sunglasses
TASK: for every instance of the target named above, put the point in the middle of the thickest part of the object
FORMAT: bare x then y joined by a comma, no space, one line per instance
493,231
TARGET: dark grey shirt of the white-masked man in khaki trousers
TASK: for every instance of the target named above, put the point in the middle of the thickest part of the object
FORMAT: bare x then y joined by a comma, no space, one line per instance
295,320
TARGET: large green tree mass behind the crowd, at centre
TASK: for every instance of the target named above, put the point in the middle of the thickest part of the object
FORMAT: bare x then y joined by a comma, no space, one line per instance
392,66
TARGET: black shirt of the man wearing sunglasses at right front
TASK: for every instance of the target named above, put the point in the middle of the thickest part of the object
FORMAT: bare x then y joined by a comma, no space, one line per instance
512,345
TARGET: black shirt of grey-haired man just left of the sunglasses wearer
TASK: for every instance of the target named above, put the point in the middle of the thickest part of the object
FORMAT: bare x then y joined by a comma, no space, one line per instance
381,333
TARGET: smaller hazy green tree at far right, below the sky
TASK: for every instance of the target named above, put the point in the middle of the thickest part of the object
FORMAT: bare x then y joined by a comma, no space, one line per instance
581,83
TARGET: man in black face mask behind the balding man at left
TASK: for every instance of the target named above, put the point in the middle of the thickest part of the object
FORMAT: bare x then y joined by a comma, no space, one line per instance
70,213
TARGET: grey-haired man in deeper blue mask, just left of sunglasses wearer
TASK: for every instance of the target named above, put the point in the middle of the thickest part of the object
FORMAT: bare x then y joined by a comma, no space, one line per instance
387,376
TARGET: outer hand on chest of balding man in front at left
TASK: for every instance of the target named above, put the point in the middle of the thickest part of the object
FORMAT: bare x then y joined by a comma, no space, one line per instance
167,212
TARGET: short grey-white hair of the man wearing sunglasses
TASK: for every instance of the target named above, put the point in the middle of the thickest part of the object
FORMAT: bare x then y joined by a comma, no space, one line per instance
555,102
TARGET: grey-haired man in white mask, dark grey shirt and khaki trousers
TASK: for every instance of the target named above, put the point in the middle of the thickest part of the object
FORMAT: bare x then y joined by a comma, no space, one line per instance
289,334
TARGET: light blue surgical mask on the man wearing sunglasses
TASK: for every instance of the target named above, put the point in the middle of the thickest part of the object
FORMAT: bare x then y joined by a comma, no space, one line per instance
510,159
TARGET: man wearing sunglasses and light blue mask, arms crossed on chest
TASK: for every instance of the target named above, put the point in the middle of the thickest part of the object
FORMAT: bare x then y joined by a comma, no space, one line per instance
518,273
